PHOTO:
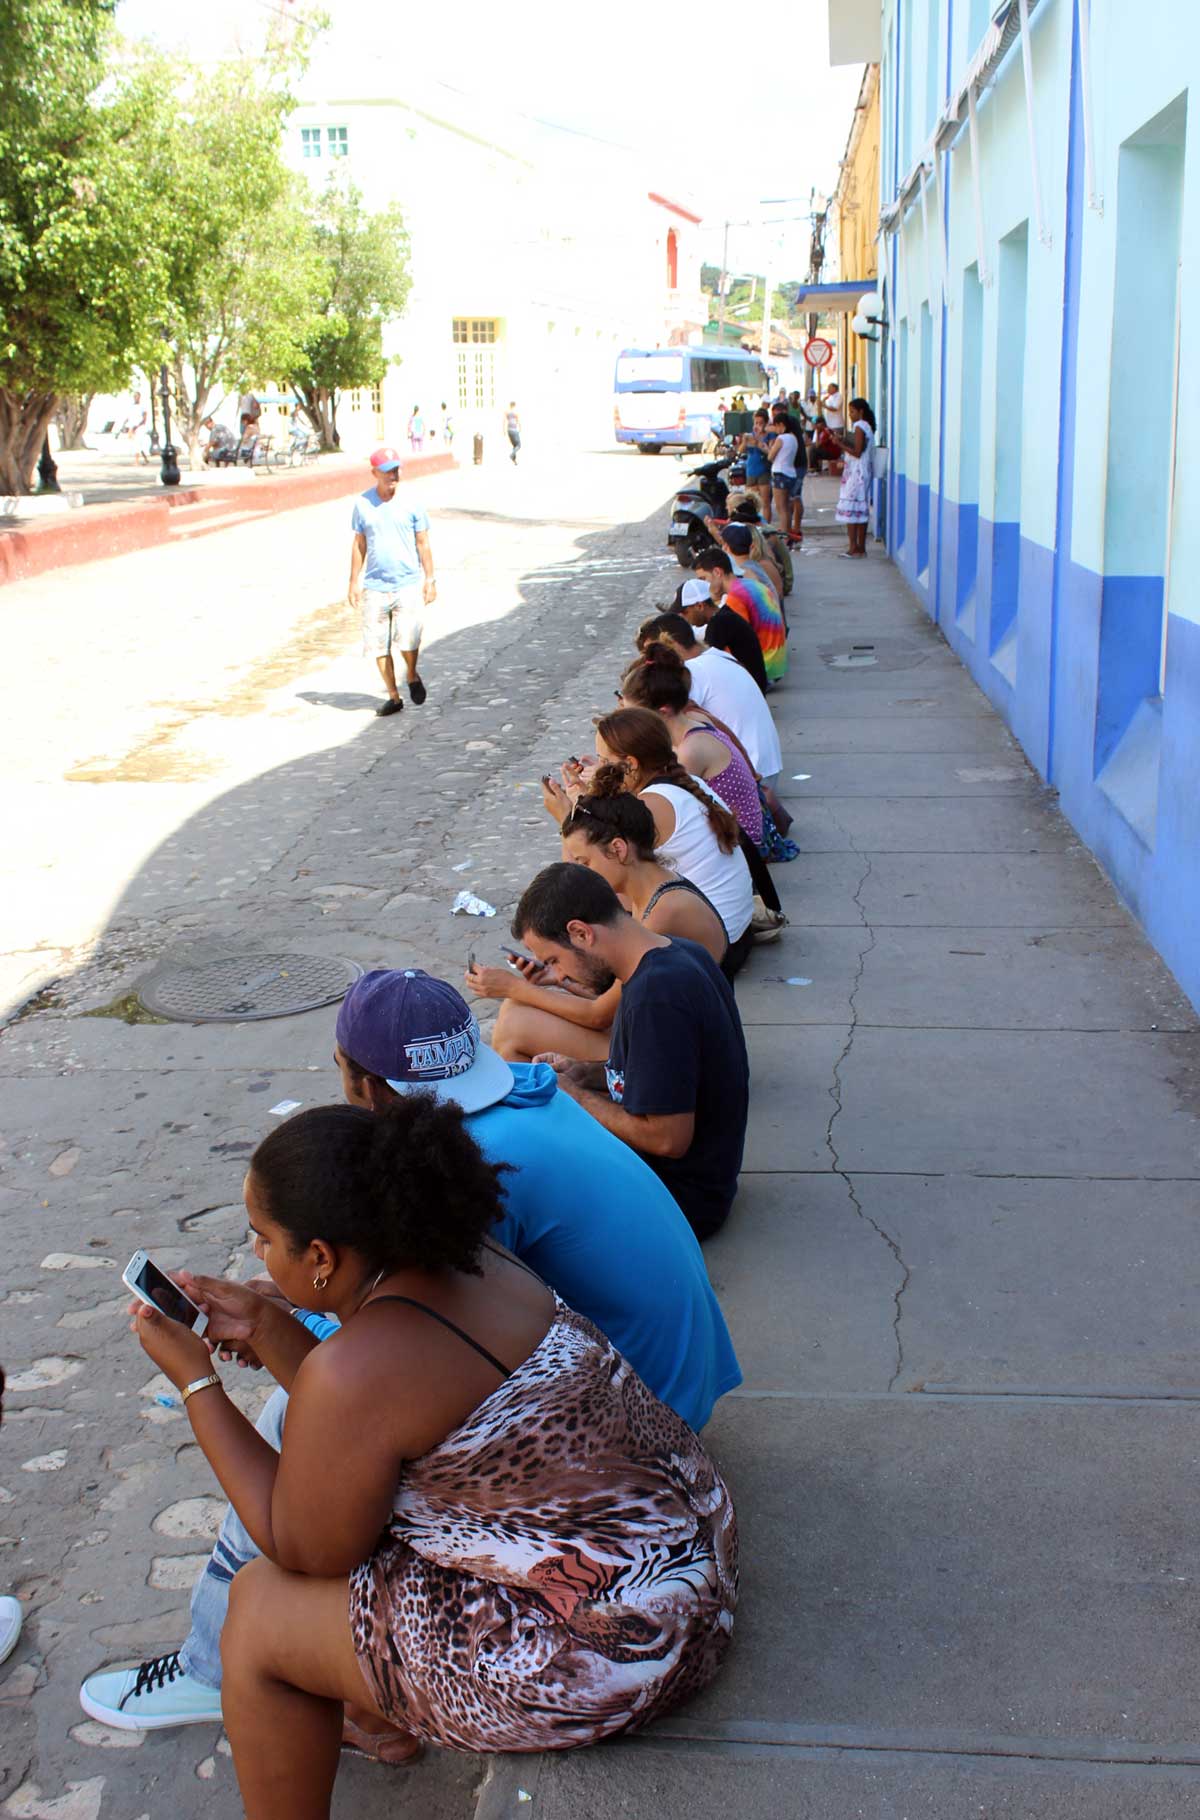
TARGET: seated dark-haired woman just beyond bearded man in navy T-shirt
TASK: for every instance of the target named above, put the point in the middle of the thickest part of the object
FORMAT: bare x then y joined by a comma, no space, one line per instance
615,834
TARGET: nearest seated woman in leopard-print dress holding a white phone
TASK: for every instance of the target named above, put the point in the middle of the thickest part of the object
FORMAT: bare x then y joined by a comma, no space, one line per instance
483,1532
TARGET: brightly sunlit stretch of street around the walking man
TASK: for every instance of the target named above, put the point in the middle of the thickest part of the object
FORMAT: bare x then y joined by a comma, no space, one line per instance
141,689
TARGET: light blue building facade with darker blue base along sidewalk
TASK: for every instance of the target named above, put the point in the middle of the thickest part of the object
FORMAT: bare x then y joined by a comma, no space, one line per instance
1041,219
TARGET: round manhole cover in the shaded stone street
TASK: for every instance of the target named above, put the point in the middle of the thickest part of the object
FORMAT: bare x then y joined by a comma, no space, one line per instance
245,987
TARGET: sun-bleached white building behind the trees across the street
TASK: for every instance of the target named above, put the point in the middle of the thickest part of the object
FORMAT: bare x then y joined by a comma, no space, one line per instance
536,256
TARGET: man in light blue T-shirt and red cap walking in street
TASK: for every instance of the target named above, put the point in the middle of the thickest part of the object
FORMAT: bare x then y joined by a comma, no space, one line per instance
391,578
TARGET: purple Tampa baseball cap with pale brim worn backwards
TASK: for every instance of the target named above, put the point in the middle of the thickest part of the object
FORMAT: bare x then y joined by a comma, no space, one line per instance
422,1036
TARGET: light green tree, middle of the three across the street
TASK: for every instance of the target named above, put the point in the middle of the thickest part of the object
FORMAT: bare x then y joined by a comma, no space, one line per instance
245,270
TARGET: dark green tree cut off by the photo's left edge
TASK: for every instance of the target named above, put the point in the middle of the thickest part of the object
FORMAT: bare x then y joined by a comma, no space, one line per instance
81,278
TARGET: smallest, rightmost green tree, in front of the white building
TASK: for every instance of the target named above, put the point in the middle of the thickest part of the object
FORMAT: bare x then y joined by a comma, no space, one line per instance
367,287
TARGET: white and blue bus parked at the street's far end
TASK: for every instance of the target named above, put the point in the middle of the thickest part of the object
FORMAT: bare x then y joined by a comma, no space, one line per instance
676,398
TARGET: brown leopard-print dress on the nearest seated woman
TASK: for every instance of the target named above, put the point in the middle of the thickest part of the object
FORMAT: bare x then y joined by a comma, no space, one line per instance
558,1570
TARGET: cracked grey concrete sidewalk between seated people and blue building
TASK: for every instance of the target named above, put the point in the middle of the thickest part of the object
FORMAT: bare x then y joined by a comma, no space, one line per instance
962,1284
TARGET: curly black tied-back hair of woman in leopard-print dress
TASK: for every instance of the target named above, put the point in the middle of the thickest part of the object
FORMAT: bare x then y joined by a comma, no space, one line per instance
407,1188
